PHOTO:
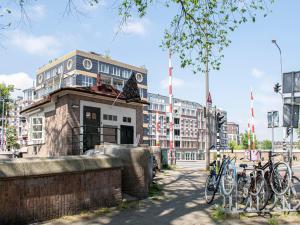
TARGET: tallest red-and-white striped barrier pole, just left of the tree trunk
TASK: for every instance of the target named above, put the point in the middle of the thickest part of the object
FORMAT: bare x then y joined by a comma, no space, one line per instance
171,152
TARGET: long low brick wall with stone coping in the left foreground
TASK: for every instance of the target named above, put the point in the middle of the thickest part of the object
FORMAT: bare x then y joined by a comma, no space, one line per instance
40,189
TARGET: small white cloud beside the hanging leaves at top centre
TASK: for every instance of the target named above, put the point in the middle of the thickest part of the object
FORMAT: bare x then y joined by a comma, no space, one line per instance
135,27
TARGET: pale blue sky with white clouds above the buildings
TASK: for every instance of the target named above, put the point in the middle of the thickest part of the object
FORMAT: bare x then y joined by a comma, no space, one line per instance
251,61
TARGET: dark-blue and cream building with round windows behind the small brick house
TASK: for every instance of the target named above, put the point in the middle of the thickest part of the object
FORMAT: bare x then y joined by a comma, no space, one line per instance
80,69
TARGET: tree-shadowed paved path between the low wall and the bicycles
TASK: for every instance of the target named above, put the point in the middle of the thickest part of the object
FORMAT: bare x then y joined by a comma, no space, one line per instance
182,204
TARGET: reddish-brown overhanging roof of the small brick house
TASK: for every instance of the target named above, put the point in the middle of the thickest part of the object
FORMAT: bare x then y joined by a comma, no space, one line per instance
104,90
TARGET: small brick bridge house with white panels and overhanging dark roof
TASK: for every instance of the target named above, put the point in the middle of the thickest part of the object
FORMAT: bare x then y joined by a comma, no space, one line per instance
71,120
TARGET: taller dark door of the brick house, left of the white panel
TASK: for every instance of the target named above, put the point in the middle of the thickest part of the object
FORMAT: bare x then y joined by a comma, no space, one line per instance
91,127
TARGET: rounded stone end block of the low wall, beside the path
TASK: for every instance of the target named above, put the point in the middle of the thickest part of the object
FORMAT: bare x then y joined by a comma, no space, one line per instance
137,167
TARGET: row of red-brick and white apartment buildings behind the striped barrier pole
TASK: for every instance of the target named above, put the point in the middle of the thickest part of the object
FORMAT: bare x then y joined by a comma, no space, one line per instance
189,126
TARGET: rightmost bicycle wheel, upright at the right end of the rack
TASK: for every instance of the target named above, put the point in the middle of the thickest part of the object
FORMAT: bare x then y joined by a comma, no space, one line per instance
281,177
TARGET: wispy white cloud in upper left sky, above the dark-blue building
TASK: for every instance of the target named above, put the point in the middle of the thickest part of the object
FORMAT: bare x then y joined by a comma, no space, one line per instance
35,45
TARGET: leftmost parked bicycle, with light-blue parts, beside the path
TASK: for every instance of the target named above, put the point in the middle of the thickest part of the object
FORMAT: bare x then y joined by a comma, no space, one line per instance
226,176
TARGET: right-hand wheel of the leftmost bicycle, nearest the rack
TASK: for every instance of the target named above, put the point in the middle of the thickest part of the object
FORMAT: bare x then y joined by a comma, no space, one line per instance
228,178
